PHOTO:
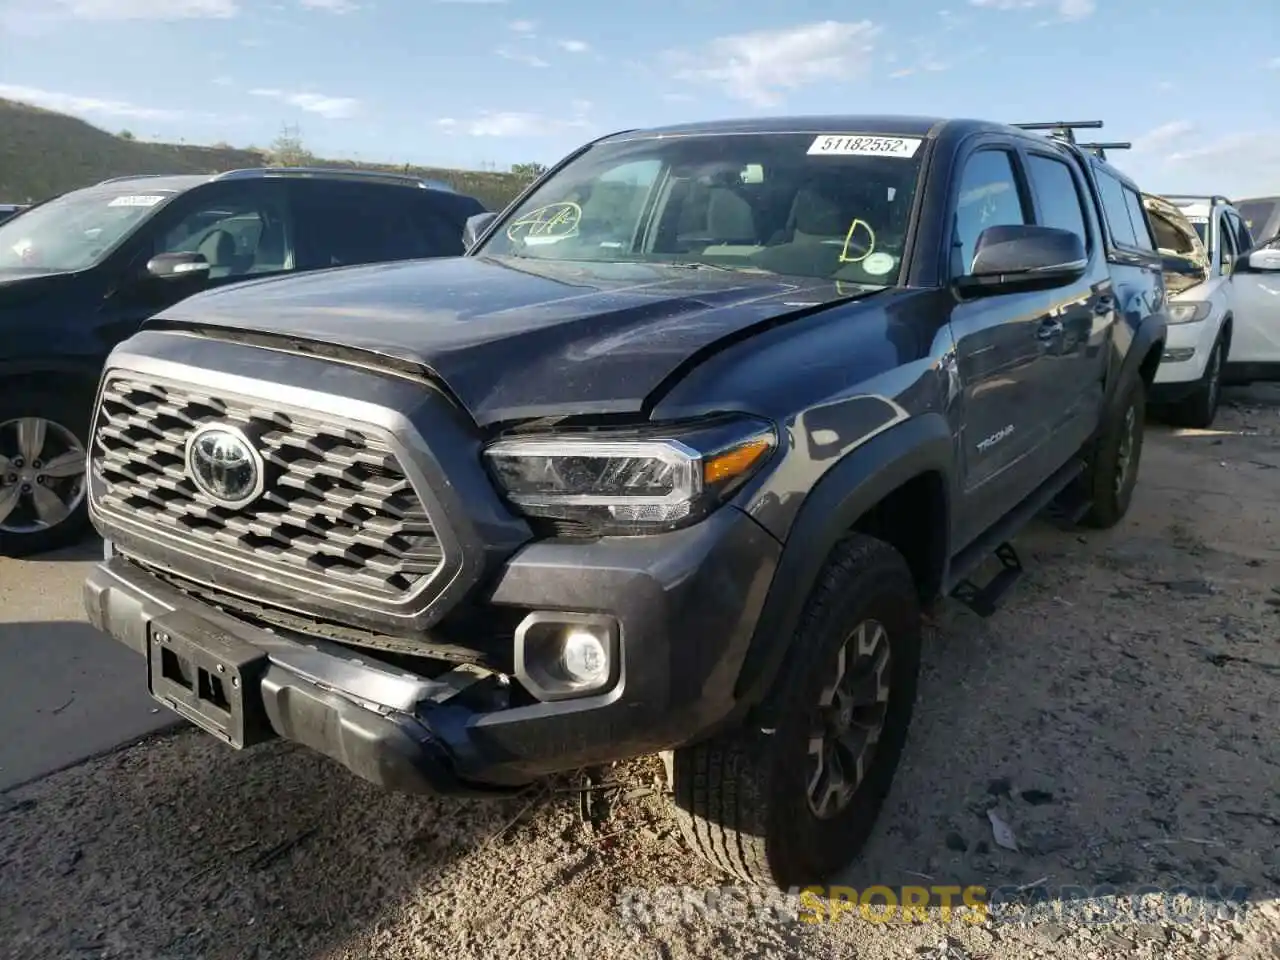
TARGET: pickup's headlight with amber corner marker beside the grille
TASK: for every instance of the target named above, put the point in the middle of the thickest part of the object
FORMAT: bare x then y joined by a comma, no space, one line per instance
633,482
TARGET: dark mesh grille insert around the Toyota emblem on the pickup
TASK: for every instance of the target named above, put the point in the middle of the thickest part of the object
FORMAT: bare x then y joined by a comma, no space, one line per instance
337,505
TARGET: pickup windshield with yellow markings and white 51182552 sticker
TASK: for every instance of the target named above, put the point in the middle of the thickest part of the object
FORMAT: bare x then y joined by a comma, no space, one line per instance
796,204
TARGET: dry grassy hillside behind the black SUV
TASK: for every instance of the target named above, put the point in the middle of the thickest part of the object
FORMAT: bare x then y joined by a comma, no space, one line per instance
44,154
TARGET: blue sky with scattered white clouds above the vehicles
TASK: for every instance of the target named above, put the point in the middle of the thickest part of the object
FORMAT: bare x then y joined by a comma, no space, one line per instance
493,83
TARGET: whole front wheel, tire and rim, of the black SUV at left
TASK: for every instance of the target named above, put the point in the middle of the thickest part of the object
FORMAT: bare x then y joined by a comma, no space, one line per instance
43,483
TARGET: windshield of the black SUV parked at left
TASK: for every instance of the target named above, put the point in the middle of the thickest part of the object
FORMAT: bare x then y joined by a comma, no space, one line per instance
74,232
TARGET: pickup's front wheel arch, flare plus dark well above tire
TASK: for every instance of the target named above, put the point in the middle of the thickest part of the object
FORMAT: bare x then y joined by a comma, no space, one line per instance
906,473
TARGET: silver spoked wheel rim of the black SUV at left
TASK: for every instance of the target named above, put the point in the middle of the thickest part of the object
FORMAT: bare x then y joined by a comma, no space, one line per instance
42,476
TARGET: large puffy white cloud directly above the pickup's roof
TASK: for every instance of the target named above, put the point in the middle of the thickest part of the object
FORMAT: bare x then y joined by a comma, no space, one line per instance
764,66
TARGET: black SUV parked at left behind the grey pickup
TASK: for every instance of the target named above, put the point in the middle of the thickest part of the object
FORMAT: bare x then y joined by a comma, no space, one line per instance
80,273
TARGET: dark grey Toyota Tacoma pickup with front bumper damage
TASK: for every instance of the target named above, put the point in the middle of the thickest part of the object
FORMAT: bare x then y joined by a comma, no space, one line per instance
673,461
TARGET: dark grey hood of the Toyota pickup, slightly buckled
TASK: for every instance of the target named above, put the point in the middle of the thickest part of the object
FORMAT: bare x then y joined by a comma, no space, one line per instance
516,339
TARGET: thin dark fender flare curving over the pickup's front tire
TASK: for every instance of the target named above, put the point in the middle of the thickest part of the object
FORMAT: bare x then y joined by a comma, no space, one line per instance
856,484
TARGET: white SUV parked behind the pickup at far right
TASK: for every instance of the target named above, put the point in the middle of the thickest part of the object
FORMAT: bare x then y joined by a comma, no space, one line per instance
1220,322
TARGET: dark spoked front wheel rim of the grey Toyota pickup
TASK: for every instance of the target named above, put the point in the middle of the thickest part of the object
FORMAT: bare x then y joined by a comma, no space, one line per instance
851,720
